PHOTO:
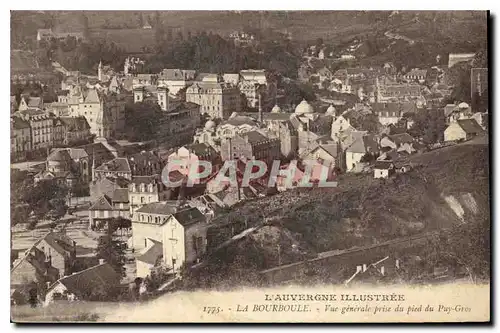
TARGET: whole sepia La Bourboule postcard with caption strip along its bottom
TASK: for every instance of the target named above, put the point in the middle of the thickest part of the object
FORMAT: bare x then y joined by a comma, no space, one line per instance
249,166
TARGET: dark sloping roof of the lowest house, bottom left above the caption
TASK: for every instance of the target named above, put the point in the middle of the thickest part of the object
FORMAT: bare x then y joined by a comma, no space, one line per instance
97,277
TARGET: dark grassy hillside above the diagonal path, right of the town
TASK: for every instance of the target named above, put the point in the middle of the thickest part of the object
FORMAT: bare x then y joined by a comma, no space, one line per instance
363,210
